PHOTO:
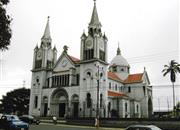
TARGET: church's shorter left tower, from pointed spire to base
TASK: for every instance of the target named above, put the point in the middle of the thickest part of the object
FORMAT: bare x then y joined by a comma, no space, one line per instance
43,61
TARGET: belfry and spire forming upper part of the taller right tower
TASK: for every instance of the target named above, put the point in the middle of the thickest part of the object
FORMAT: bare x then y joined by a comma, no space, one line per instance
94,45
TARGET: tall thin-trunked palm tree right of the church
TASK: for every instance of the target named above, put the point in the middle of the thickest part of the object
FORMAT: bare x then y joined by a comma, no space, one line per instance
172,69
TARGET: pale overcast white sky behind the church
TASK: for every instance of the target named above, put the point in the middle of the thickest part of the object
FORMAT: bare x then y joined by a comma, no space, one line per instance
147,32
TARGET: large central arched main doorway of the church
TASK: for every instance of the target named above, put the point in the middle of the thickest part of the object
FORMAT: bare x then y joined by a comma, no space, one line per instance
59,103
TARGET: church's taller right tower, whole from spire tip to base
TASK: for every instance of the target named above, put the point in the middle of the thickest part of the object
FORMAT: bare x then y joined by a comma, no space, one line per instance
93,67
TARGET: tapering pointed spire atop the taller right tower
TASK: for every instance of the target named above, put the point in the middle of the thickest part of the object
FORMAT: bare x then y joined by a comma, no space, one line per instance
94,18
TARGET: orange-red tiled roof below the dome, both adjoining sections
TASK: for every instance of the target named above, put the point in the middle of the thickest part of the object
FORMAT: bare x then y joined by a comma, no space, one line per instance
132,78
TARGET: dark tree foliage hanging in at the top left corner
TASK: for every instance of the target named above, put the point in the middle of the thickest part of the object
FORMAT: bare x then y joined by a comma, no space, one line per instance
5,30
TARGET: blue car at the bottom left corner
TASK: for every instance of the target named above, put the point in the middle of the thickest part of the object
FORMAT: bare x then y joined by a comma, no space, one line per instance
12,122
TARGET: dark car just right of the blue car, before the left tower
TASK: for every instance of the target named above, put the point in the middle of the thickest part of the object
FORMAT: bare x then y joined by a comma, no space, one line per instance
29,119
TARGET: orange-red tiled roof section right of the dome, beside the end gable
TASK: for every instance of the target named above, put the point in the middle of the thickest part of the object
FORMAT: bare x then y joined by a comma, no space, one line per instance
134,78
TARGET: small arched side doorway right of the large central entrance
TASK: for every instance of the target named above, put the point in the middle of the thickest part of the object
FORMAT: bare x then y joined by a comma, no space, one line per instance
75,105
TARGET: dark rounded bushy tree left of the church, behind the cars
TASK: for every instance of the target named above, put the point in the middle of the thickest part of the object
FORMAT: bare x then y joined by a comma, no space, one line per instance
16,101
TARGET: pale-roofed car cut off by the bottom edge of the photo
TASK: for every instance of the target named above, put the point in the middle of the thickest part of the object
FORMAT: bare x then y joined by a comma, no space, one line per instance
142,127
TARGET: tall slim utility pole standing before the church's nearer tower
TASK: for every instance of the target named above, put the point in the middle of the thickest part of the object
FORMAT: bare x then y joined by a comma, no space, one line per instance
99,75
